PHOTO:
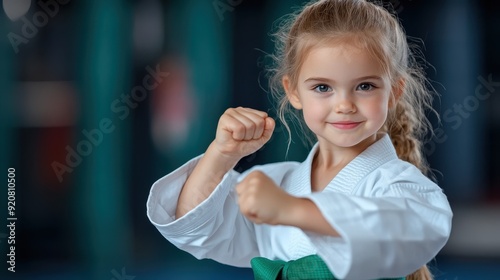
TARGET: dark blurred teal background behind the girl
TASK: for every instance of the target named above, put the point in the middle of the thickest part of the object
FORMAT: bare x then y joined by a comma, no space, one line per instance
99,99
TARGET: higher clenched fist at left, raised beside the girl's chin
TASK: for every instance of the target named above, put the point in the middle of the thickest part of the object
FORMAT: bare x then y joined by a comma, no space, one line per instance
242,131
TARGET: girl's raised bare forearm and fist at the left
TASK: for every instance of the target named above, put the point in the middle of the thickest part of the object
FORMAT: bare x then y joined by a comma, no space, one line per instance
240,132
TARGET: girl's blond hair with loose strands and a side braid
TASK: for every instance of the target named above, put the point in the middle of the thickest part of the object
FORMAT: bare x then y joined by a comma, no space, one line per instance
375,29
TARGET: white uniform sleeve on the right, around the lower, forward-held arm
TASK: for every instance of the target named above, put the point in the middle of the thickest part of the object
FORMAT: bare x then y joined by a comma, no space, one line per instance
390,235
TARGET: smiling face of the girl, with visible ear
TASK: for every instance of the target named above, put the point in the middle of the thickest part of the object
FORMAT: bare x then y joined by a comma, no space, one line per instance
344,95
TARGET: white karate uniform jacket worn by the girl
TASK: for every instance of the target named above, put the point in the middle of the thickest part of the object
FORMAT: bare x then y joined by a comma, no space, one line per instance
391,218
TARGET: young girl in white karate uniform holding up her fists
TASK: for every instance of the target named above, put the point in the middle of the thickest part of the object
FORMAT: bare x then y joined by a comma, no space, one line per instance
359,203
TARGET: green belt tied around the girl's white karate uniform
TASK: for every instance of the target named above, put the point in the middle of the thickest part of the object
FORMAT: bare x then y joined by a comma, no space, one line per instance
309,267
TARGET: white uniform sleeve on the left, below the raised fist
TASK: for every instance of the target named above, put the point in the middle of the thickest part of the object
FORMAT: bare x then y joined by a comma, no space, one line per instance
215,229
